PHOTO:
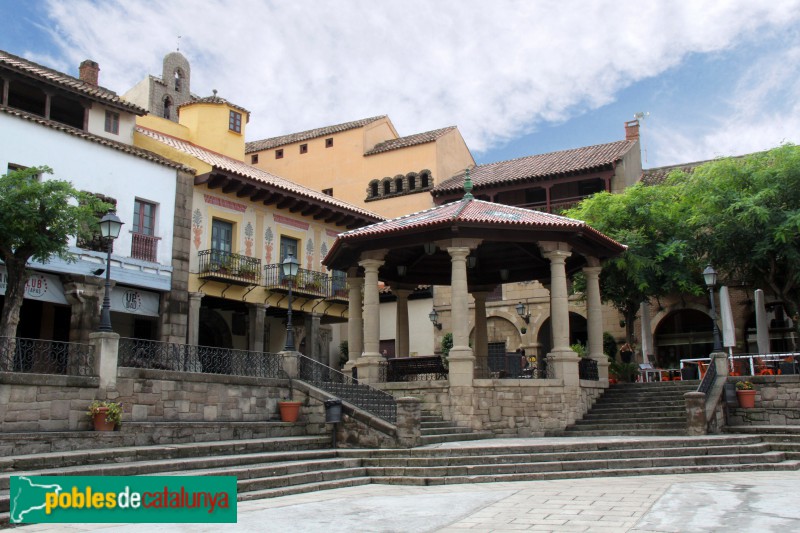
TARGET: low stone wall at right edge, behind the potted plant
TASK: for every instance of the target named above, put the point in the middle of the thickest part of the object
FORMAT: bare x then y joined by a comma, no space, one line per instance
777,402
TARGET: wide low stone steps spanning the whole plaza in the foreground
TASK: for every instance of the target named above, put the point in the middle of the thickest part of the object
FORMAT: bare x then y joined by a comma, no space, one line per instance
274,467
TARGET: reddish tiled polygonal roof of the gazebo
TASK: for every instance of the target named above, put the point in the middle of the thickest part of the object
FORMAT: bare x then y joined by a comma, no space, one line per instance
472,211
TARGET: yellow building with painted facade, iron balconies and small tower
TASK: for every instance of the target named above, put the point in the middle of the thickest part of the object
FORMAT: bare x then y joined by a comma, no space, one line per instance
244,222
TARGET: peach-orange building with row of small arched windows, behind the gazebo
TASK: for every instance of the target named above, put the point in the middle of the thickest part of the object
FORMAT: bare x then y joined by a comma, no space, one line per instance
366,163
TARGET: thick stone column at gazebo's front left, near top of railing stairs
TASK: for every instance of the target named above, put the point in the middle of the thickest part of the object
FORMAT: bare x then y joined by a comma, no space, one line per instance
371,360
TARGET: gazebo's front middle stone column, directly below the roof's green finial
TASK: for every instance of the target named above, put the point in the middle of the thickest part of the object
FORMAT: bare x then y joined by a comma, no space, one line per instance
462,360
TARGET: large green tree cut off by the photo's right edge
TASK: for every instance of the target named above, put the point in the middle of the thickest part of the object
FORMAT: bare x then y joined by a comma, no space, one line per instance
744,214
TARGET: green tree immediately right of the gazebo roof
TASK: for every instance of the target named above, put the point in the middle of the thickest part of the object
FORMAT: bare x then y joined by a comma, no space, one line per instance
659,260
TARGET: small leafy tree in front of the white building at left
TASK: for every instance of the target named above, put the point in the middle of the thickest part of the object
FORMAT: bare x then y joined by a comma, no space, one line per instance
37,217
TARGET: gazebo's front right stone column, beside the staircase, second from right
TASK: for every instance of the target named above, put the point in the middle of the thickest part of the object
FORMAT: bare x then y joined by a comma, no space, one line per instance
561,358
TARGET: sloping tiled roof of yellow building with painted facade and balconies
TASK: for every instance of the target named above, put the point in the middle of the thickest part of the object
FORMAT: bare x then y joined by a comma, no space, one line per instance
239,168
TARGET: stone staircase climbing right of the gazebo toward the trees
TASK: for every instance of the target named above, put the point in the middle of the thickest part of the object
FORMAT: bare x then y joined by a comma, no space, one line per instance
654,409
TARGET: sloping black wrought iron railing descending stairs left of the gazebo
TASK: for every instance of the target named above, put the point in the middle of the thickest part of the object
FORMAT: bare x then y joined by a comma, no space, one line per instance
333,382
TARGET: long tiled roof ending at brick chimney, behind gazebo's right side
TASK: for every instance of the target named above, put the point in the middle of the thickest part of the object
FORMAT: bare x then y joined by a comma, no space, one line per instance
538,167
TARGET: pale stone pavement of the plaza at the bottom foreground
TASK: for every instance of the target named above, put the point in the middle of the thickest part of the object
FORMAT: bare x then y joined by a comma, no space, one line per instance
752,502
